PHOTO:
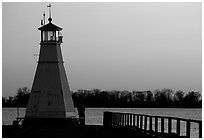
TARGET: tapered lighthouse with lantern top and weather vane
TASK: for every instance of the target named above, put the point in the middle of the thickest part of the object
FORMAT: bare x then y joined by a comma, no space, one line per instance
50,99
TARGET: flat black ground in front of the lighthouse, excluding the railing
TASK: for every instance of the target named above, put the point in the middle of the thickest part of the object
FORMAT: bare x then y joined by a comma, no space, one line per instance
87,131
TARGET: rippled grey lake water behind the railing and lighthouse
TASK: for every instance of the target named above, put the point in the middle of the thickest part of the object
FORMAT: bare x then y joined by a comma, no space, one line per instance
95,115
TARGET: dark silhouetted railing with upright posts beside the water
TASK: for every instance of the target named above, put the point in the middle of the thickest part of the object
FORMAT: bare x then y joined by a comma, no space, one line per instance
158,126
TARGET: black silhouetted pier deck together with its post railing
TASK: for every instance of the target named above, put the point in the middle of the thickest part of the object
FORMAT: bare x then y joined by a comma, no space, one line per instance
115,125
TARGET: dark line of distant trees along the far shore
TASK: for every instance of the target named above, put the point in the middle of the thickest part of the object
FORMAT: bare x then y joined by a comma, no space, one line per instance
165,98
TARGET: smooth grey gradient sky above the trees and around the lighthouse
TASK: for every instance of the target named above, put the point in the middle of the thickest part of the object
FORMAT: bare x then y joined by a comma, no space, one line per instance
109,46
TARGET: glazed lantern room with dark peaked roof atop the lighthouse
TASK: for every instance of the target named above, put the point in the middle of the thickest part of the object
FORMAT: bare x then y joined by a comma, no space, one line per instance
50,32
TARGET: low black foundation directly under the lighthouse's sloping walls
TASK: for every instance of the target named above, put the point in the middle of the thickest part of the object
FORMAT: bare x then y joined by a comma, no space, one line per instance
50,121
